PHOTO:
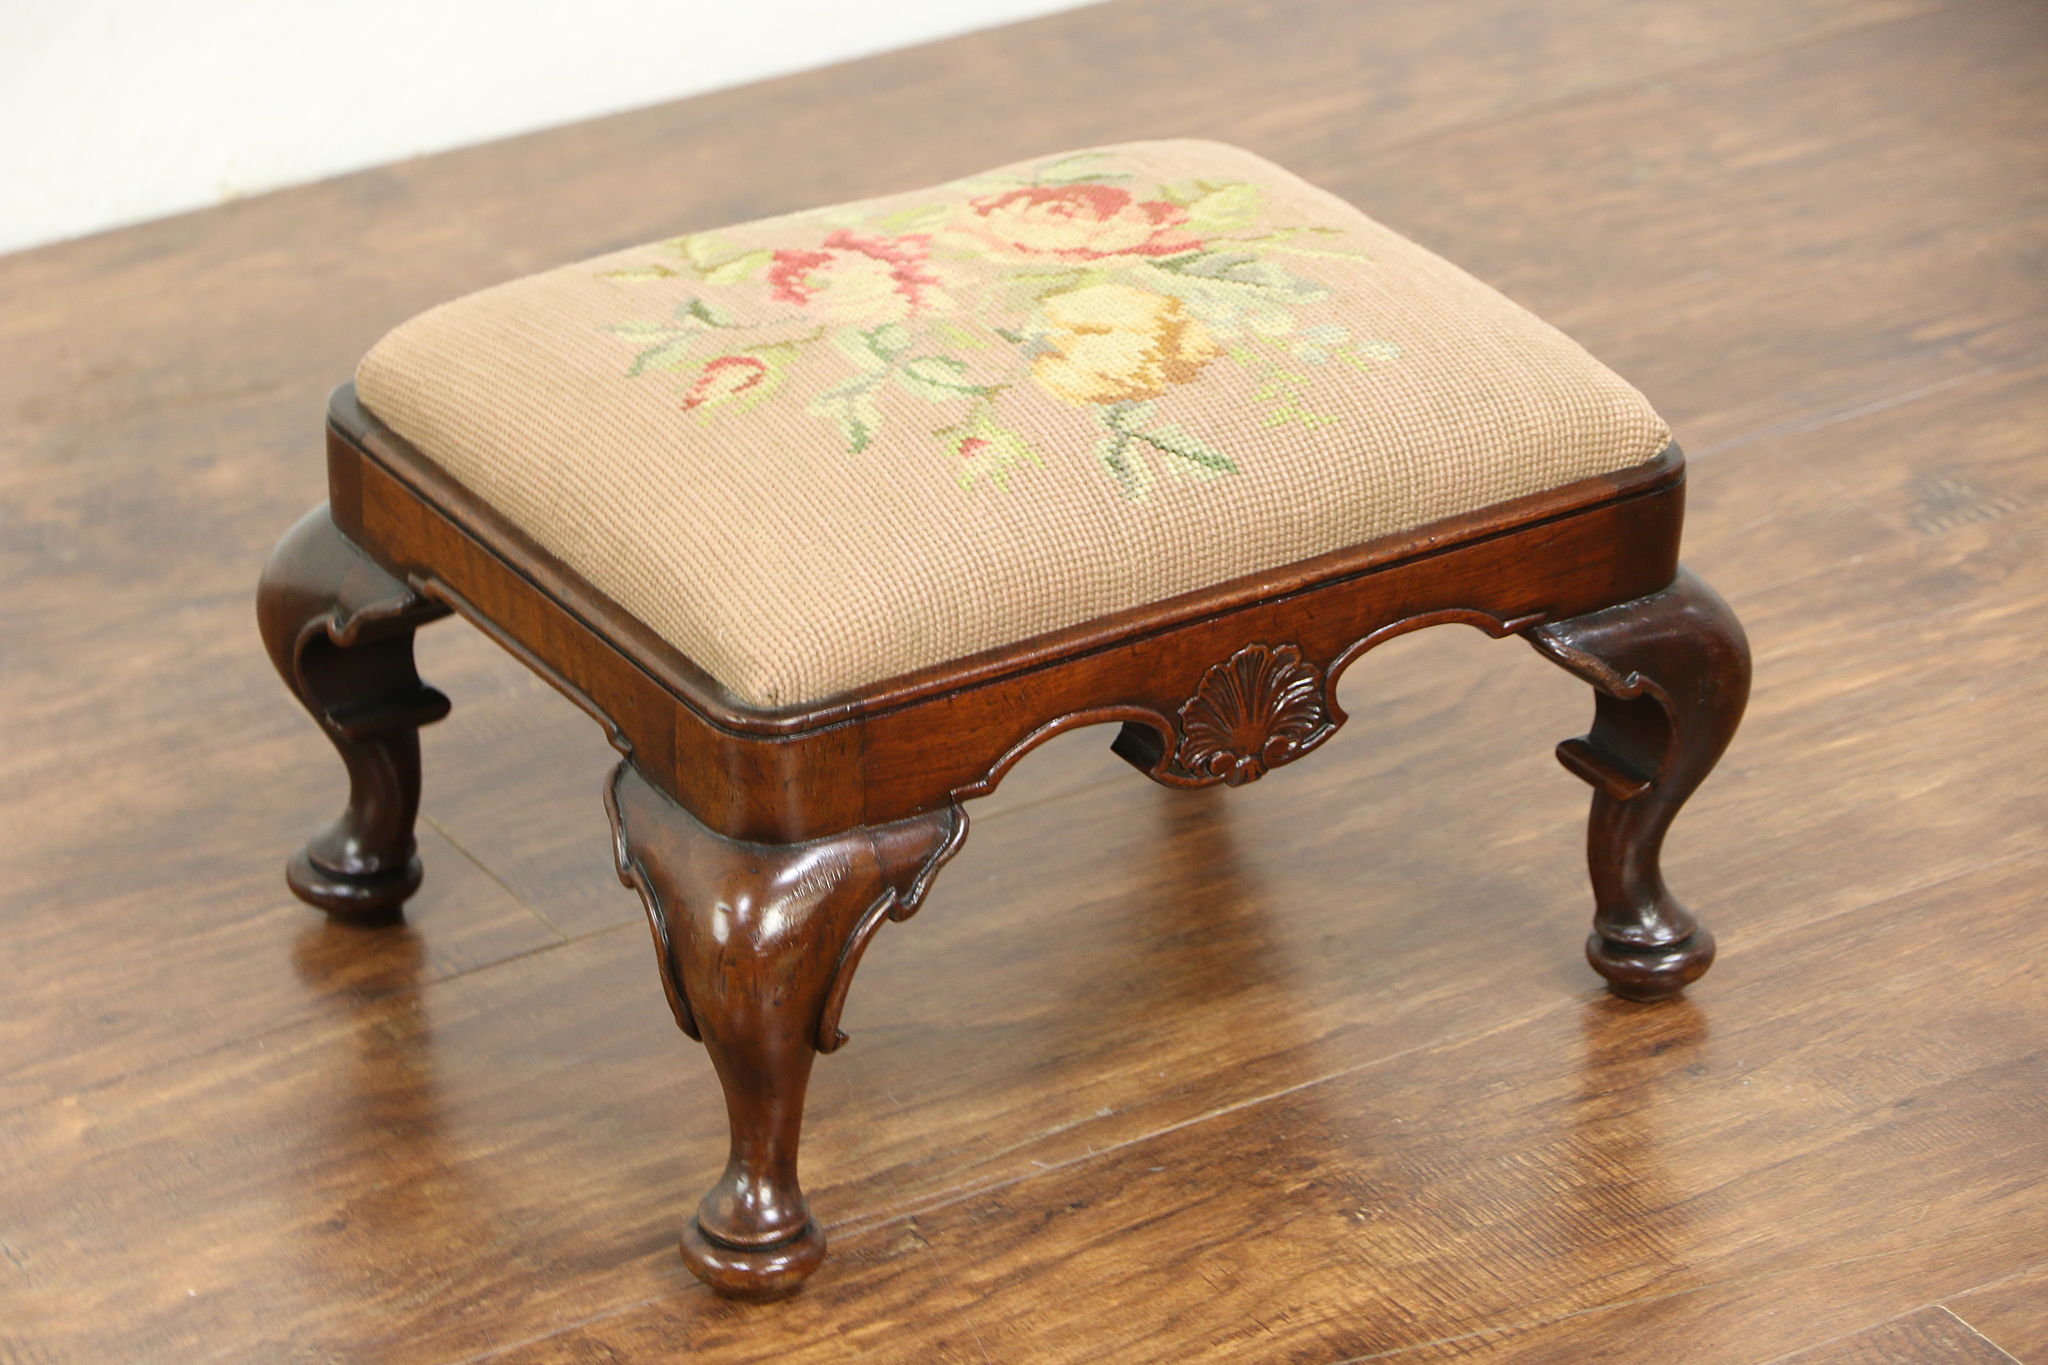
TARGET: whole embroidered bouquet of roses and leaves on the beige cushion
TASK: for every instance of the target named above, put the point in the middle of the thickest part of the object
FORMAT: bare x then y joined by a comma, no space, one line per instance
1076,283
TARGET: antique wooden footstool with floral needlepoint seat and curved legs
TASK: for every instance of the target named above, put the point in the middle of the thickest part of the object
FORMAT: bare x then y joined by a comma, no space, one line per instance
833,519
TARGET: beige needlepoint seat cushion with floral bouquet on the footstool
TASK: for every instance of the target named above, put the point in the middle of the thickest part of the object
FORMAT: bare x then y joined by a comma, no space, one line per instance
837,447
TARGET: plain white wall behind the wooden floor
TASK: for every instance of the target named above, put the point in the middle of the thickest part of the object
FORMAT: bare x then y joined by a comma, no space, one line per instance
116,112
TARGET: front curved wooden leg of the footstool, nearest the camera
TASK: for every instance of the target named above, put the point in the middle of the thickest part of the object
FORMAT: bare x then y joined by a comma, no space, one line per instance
759,946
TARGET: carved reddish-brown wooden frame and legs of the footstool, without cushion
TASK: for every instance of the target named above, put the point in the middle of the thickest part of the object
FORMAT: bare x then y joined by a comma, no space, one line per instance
769,846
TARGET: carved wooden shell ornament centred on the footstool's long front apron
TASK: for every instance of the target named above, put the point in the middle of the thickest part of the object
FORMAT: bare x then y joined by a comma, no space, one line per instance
1258,709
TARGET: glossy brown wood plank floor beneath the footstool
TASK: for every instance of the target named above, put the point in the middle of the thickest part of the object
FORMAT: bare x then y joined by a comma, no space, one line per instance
1299,1073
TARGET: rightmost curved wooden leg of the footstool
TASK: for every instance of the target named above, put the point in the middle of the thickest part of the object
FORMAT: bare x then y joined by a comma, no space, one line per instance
1672,676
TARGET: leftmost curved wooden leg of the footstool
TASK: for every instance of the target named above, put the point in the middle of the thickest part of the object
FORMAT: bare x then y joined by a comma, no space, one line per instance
339,631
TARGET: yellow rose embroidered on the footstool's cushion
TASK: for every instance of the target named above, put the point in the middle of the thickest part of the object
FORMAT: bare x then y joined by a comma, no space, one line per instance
1113,345
